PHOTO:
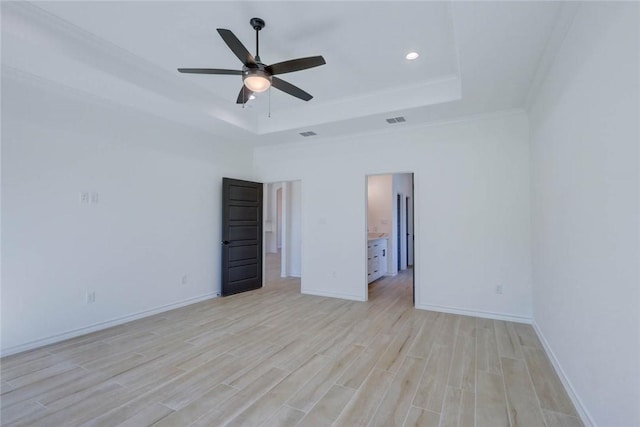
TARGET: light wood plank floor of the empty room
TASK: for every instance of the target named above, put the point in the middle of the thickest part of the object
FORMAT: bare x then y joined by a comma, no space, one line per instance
274,357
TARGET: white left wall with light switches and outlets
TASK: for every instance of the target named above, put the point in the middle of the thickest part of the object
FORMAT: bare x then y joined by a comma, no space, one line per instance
157,217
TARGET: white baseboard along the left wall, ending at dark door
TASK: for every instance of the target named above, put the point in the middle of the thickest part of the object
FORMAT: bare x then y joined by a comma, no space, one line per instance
102,325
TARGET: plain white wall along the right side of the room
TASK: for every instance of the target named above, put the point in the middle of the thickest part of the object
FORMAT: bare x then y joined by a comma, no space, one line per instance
584,127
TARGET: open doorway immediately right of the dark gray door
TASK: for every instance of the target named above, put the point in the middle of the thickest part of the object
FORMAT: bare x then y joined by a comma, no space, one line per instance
282,232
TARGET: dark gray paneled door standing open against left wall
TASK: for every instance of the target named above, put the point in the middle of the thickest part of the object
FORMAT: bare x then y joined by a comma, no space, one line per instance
241,236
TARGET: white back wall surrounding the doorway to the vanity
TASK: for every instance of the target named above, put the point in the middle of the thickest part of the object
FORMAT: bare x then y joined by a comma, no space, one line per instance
472,210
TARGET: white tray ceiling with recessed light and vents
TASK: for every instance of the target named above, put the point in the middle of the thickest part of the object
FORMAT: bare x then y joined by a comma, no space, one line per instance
475,58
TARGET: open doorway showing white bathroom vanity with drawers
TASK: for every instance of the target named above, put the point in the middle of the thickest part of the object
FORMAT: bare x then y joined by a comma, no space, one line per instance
389,221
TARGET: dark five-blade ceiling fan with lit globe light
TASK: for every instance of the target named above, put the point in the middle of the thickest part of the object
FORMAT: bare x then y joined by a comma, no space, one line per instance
256,76
